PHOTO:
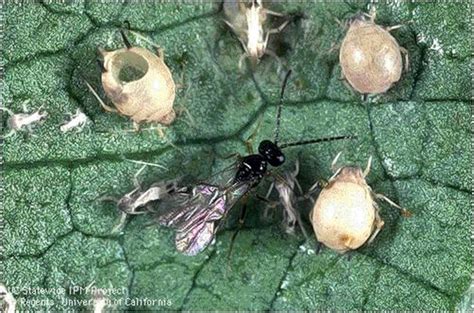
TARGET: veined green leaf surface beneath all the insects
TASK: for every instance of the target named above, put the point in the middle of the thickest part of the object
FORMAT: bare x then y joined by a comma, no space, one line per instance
58,230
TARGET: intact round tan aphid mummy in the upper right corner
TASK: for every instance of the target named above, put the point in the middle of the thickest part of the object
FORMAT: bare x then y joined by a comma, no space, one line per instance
370,57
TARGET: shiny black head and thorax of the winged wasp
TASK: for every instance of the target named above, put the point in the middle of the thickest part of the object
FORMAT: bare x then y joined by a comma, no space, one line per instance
252,168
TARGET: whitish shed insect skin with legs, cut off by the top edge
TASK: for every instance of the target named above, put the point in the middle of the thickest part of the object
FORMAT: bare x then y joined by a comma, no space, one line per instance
247,22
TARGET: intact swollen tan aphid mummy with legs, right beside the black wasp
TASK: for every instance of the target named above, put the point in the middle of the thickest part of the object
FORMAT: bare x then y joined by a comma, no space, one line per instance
346,215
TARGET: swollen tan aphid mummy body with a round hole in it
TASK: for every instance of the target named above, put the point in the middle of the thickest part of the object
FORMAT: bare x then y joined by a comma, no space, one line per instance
139,84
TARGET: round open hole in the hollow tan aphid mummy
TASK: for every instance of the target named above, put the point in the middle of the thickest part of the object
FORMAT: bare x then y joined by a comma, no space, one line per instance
129,66
